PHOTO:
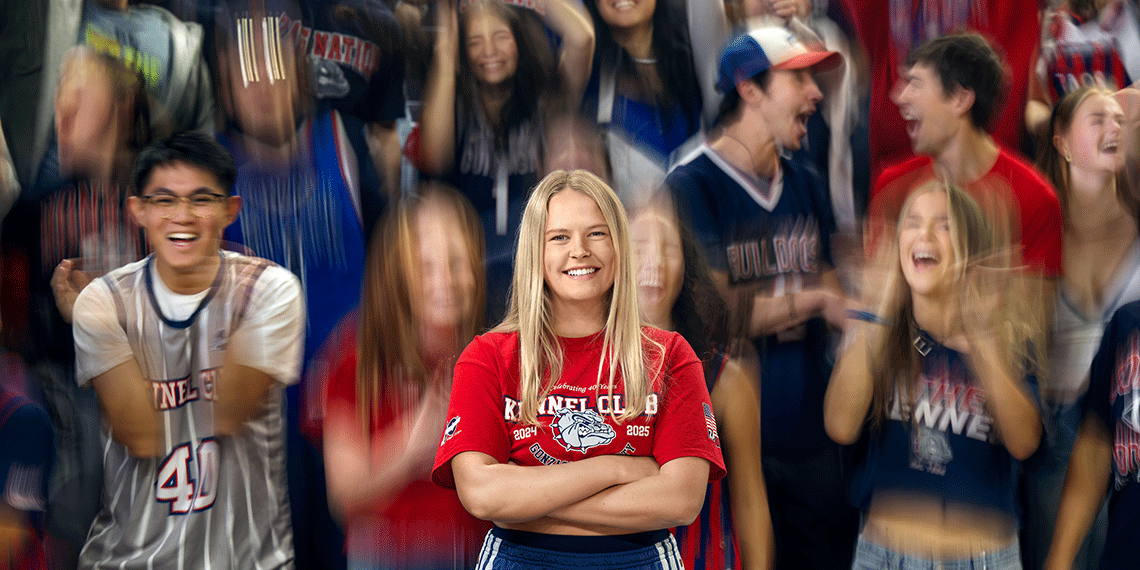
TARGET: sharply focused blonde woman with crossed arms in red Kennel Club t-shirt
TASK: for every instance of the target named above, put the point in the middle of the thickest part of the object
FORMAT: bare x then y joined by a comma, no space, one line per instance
583,435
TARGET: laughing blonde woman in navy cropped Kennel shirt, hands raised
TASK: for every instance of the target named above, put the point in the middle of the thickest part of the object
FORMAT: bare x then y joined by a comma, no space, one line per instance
939,377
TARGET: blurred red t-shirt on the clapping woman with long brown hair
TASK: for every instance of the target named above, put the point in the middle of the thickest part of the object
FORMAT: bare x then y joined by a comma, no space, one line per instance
426,526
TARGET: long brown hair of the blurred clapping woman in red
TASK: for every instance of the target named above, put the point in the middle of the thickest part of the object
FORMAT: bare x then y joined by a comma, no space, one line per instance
390,365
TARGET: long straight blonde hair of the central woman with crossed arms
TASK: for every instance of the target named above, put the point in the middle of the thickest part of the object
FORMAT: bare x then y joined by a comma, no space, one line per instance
530,314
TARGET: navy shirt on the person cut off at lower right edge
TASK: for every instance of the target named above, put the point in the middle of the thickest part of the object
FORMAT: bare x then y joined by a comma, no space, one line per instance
1114,398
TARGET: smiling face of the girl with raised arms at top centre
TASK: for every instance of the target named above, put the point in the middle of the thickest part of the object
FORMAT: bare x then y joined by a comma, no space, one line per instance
492,51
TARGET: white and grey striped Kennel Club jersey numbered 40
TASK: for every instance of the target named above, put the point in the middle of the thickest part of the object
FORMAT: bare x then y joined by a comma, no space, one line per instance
210,502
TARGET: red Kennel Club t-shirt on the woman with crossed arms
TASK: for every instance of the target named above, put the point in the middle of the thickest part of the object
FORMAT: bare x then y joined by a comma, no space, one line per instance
575,419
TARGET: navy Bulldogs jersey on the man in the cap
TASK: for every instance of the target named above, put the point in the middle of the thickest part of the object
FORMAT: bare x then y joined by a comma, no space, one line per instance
769,238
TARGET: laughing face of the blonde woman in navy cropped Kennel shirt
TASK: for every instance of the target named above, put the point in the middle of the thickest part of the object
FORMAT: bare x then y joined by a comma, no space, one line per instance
926,249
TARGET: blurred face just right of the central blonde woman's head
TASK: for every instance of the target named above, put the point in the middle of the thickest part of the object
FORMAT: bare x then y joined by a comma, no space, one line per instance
661,265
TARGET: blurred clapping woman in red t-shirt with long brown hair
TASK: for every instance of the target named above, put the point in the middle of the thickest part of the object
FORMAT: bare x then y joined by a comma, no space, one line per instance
424,300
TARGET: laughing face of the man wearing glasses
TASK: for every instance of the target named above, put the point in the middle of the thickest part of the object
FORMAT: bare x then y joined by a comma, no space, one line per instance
185,241
